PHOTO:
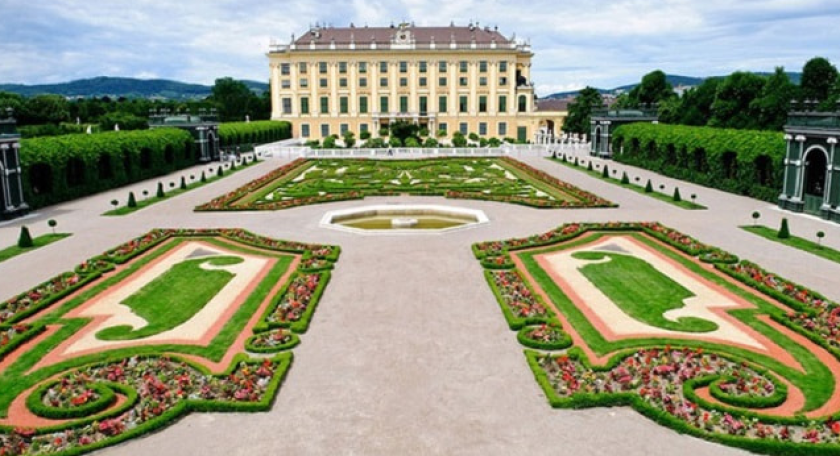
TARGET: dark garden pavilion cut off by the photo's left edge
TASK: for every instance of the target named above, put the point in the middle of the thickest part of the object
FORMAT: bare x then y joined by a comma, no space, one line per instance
12,202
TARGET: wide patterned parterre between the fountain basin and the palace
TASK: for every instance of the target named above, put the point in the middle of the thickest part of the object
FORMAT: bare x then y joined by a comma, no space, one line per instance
303,182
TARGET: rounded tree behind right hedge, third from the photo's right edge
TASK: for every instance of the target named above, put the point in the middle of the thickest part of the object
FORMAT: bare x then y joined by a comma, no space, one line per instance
733,106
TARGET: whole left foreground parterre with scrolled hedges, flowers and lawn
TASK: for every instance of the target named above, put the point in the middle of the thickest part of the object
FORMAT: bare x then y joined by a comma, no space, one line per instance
168,323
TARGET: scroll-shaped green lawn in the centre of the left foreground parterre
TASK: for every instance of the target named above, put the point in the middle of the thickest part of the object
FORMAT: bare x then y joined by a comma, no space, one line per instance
173,298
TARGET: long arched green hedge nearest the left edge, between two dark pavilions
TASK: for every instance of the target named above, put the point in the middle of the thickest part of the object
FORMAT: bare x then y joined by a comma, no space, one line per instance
62,168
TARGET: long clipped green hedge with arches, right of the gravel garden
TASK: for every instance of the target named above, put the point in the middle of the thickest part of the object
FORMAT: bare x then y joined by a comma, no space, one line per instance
739,161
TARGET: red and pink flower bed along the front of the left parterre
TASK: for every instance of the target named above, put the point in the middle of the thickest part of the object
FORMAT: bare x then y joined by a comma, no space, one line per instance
162,389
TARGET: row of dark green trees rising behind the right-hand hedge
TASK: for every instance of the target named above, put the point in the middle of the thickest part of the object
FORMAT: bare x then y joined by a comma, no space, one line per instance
742,100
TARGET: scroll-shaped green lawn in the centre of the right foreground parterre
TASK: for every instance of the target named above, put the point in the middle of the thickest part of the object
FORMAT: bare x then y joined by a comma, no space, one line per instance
641,291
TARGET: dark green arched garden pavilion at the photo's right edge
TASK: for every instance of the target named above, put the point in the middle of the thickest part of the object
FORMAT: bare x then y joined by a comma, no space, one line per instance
812,166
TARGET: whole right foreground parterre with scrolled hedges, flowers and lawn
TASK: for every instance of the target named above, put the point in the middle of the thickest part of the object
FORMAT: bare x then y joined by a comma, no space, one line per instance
692,337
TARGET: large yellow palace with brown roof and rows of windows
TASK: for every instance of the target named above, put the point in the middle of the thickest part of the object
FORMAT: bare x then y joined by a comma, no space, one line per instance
468,79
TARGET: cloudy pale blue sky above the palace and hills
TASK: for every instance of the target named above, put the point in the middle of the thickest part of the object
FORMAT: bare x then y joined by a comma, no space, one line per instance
576,43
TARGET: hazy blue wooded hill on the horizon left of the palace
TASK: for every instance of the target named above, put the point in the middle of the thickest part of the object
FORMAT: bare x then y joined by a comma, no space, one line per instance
123,87
